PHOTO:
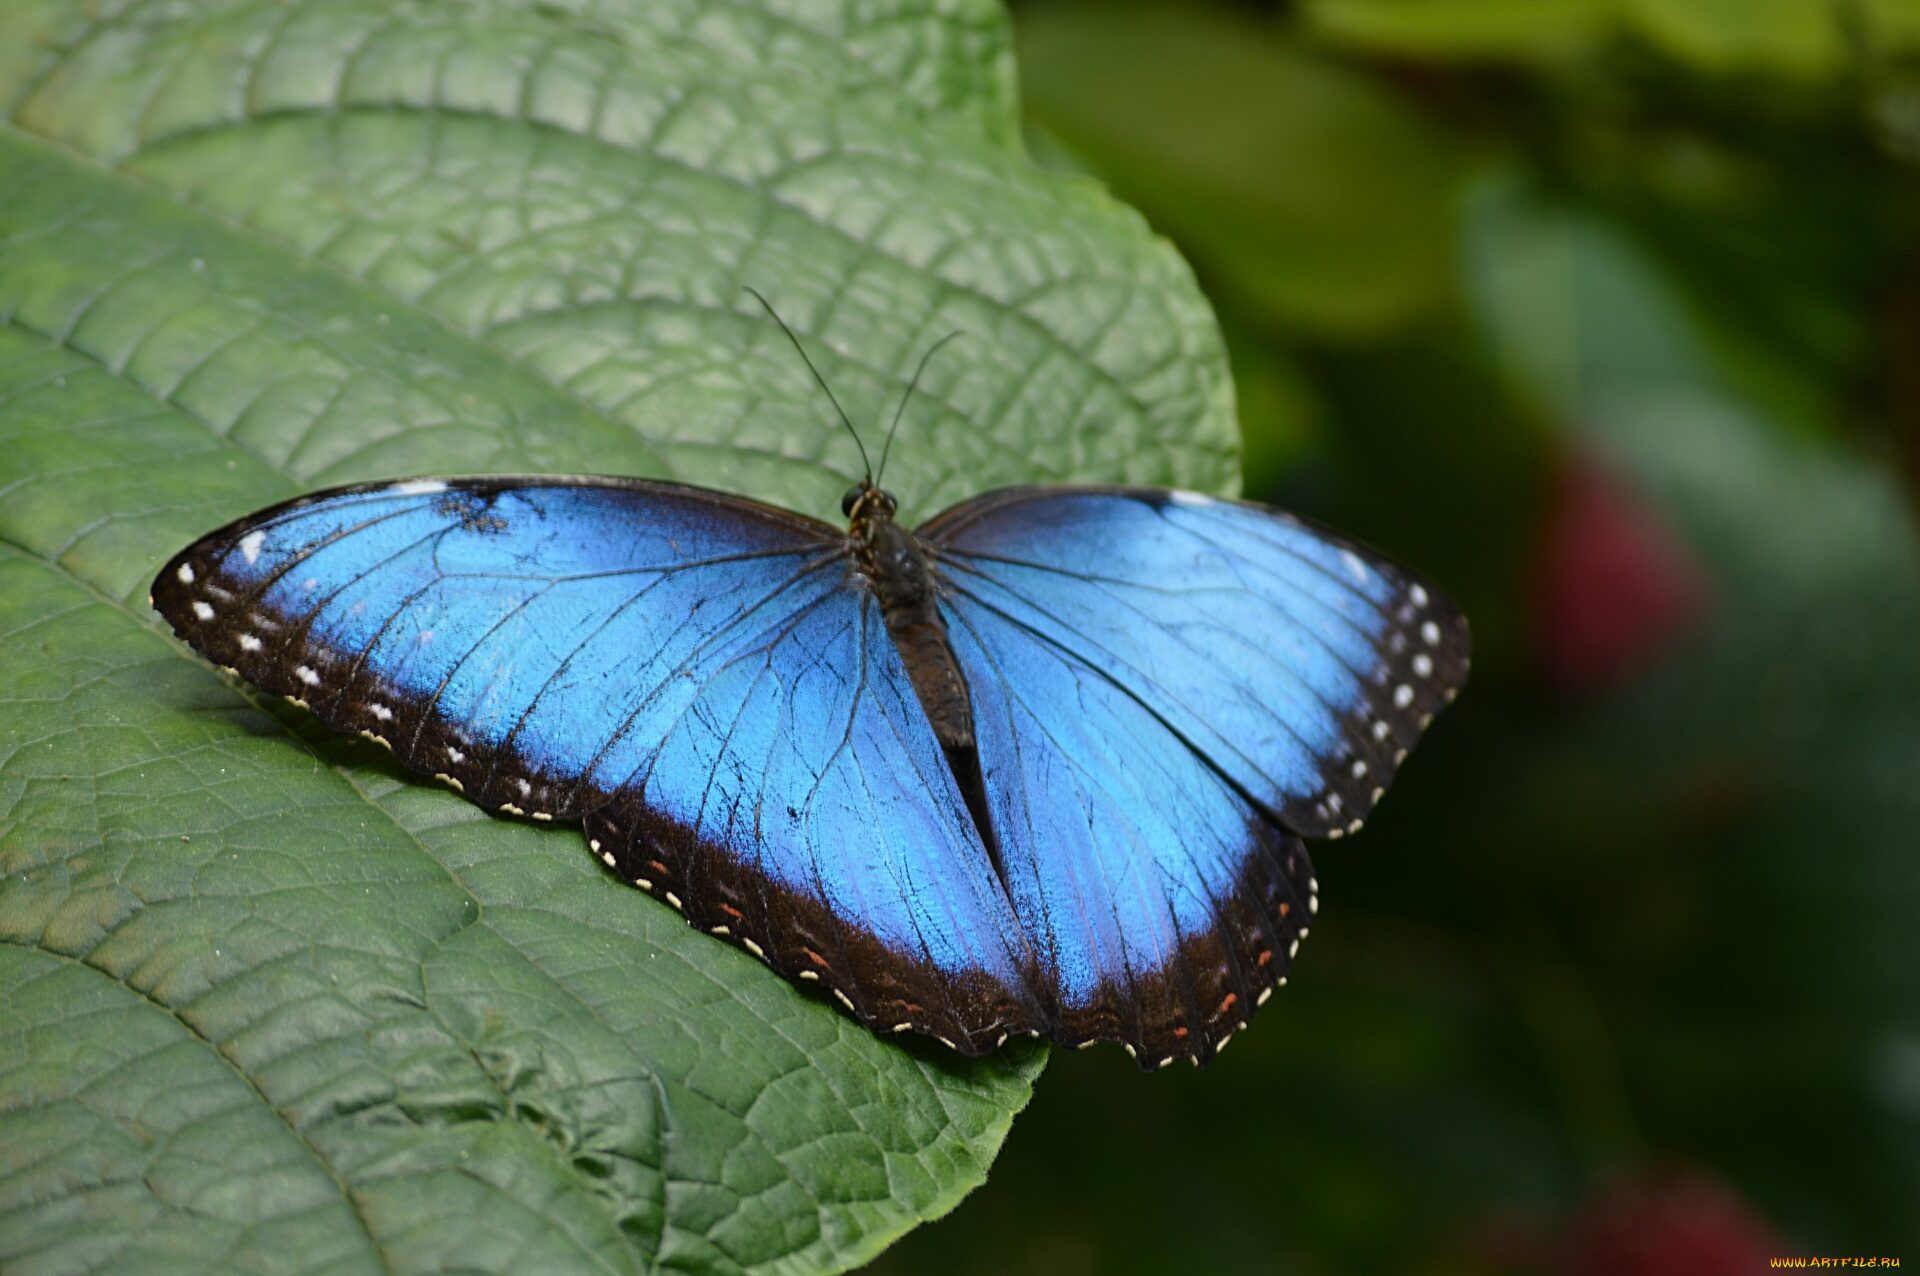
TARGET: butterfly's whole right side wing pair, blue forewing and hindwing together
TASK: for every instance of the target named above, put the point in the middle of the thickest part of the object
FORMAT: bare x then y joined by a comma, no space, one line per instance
1168,694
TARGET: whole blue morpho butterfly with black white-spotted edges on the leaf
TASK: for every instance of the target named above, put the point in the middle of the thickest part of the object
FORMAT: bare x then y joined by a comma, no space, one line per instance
1044,765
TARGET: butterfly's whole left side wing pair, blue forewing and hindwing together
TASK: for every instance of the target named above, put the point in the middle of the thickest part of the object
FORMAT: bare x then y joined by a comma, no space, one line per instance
702,678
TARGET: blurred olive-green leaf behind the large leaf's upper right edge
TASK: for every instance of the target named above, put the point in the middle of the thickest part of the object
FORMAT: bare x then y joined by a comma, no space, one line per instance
1305,191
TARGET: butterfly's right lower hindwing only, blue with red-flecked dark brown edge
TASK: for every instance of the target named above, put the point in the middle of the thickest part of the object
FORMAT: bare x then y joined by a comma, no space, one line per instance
1161,903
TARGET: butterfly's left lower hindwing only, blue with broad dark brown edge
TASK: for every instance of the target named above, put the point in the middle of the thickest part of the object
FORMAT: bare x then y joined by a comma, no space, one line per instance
804,809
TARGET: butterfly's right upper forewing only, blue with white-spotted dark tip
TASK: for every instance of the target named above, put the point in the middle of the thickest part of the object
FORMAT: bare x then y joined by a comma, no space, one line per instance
1299,663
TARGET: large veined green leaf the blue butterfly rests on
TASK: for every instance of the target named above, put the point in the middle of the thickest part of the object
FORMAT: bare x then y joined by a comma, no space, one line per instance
272,1004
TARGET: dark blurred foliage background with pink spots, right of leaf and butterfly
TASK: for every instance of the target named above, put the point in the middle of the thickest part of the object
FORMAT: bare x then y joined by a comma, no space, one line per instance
1608,318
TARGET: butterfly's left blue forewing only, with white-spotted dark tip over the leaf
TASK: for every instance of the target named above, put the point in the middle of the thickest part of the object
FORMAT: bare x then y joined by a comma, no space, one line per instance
508,634
